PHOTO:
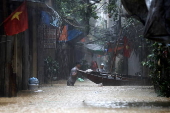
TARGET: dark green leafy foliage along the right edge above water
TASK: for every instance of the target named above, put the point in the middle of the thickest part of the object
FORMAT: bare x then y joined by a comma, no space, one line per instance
159,65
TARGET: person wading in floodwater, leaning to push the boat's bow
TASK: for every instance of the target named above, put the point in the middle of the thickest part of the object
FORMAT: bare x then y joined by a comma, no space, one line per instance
73,75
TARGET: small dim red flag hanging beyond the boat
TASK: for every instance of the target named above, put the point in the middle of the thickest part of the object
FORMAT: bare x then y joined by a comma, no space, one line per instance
127,49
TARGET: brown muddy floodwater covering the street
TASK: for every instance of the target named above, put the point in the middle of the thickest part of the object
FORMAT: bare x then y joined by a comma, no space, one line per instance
86,97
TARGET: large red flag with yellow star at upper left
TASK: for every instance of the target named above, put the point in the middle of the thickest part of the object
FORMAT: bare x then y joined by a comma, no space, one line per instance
18,21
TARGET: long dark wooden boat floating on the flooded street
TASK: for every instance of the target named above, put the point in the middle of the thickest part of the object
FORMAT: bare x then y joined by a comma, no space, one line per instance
108,79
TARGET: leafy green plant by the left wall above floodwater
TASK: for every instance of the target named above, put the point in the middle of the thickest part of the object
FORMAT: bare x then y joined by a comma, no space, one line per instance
51,68
